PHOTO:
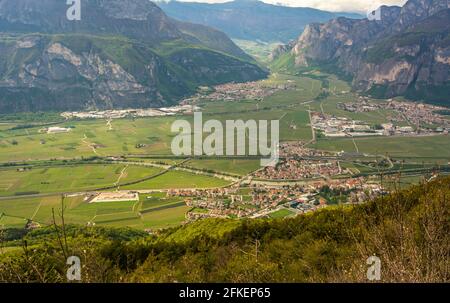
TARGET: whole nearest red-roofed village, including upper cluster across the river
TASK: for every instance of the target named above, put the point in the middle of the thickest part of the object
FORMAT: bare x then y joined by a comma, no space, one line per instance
305,180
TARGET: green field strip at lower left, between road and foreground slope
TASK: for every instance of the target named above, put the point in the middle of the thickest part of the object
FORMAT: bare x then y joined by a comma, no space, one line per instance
151,211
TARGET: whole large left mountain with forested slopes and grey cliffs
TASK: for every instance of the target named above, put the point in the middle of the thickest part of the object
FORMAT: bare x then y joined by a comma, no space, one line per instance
123,53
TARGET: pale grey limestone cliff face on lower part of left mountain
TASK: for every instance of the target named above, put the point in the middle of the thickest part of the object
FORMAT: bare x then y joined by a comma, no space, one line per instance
52,76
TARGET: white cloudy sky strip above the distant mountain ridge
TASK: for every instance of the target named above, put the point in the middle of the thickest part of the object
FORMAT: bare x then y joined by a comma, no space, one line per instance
329,5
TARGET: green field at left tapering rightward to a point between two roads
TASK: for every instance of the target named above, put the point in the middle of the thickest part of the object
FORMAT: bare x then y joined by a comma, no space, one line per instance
38,180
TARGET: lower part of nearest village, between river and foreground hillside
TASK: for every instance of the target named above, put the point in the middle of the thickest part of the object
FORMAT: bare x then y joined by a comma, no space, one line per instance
258,201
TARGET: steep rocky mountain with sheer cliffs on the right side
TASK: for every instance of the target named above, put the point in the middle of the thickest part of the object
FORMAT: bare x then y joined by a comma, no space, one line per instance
405,53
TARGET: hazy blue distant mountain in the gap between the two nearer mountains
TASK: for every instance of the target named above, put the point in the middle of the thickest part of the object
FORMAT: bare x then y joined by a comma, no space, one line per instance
250,19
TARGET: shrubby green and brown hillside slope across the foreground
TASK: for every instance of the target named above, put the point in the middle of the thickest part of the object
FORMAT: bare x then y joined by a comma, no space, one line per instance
407,230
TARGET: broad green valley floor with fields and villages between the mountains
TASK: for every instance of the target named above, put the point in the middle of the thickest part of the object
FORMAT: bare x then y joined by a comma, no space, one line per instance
107,152
